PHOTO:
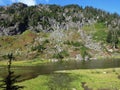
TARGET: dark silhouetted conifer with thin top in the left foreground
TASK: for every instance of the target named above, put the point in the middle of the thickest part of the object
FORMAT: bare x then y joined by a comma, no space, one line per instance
9,83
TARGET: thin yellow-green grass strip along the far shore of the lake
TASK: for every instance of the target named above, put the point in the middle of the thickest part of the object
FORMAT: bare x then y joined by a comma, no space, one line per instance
39,61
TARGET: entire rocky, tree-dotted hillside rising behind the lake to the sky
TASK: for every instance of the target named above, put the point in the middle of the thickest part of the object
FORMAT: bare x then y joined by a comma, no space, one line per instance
56,32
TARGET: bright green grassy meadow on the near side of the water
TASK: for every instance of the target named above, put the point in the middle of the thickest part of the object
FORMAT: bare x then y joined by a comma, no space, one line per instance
72,80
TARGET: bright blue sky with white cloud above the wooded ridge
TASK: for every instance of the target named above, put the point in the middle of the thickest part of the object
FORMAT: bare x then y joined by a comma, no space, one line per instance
112,6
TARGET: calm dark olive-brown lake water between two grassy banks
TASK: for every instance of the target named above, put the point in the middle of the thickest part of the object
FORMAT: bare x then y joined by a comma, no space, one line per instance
28,72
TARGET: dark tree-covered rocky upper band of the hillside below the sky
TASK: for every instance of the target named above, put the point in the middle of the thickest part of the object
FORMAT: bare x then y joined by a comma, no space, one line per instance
17,18
